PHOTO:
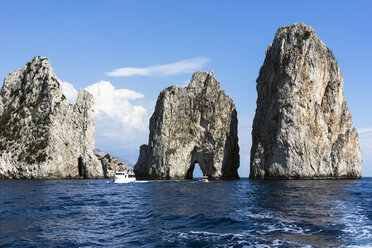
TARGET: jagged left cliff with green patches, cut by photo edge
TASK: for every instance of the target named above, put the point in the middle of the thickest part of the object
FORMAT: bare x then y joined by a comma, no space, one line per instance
41,134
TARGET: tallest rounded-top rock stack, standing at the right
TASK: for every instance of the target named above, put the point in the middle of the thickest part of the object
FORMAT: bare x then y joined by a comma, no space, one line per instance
302,127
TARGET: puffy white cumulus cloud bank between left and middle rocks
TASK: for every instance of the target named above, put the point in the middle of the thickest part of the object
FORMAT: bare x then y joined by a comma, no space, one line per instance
121,126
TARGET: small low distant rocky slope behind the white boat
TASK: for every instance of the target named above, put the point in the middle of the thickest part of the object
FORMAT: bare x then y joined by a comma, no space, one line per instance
110,164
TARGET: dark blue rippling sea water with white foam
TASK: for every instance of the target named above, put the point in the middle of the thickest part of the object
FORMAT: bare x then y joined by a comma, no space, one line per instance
238,213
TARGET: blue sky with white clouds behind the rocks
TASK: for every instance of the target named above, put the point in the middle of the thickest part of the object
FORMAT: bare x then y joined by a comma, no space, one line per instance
126,51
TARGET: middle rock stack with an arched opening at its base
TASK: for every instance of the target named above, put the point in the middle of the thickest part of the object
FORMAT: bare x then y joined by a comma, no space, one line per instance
194,124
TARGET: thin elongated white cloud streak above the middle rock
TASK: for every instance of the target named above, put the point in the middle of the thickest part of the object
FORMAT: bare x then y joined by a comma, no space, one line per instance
183,66
